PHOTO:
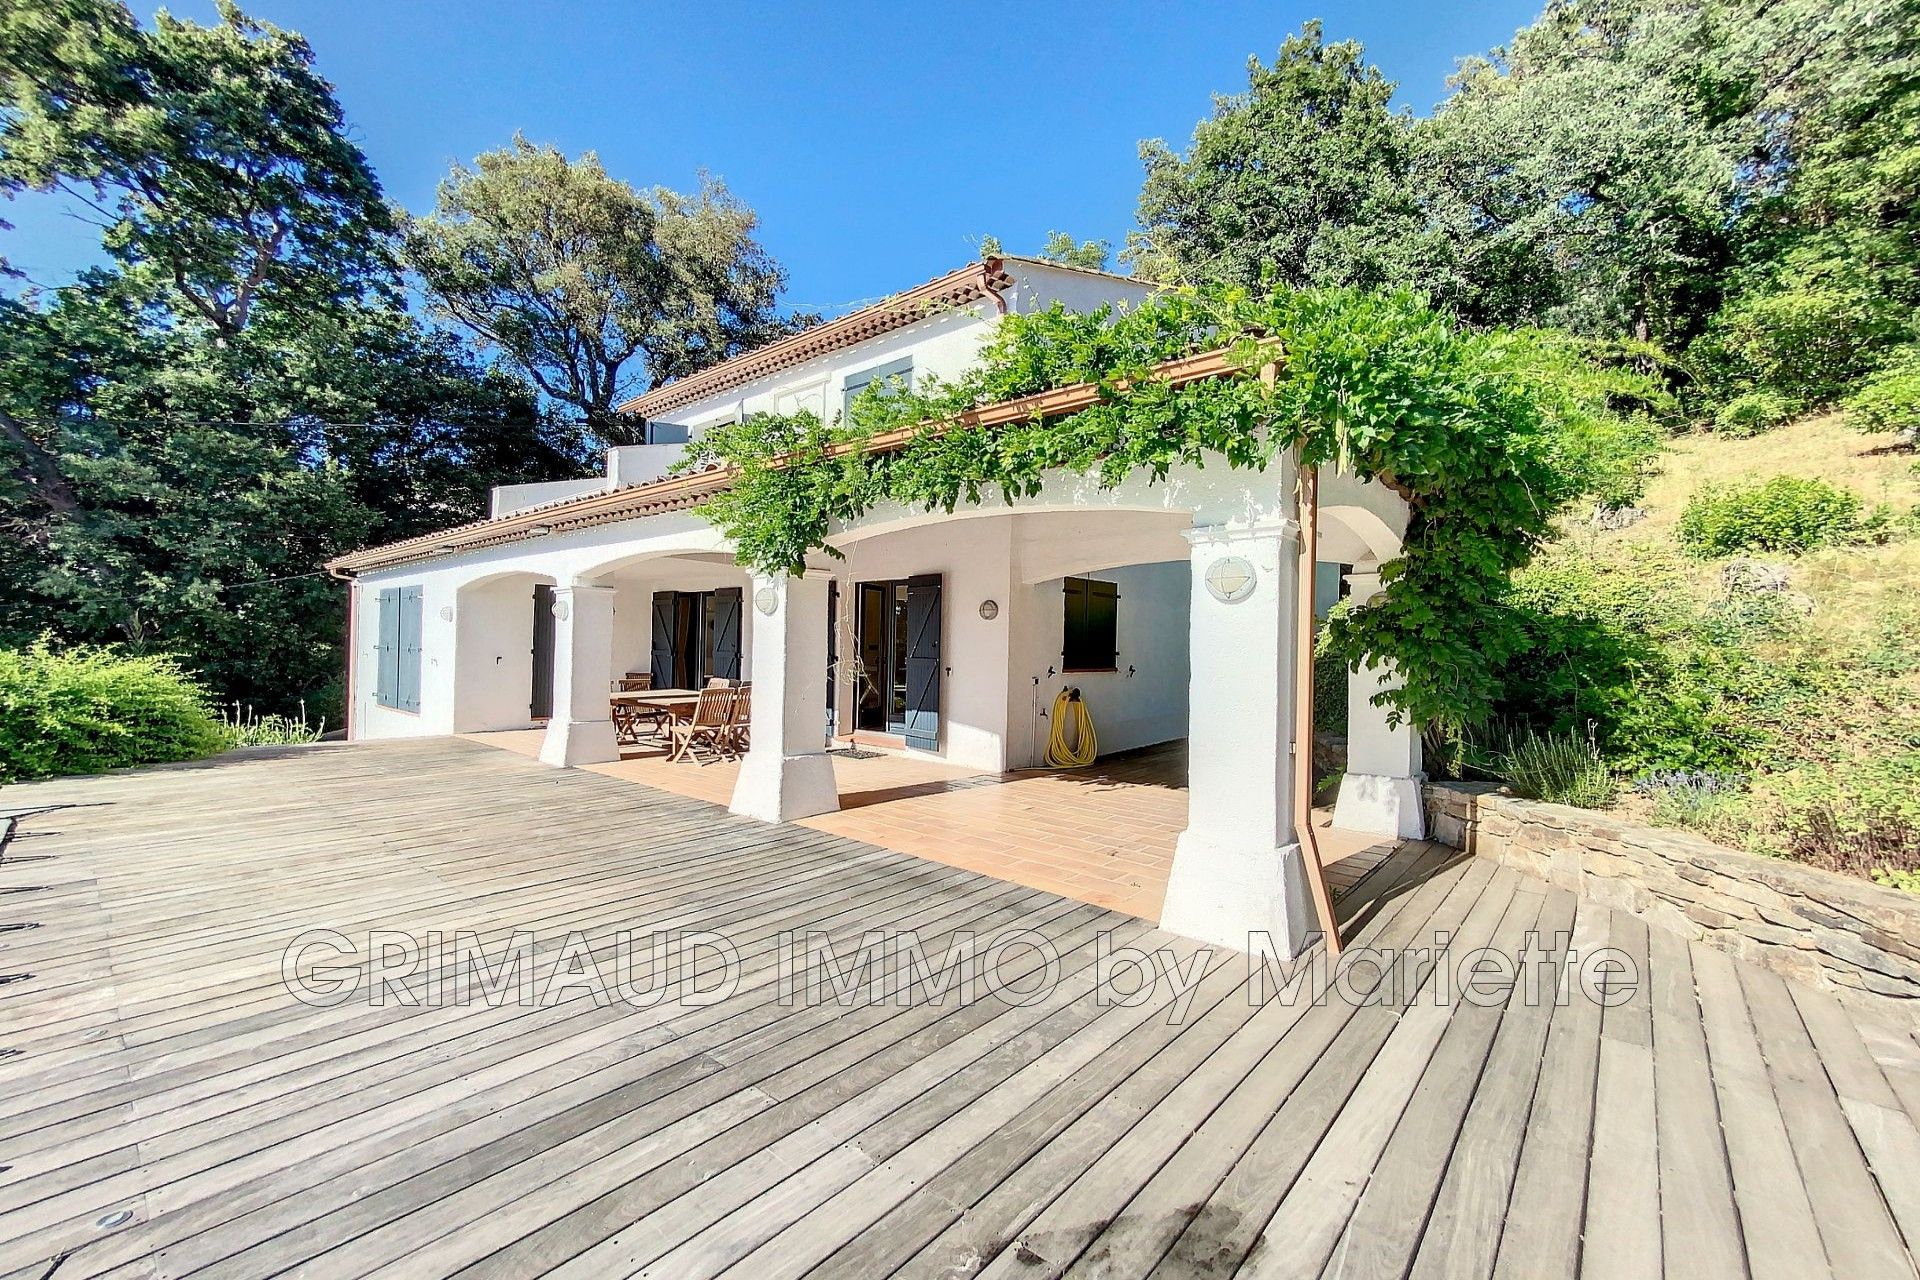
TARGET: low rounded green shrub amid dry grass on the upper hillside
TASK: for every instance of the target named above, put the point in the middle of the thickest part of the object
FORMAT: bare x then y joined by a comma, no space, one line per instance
1787,513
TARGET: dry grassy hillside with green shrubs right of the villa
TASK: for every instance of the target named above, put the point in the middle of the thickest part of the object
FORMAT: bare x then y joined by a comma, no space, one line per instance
1767,698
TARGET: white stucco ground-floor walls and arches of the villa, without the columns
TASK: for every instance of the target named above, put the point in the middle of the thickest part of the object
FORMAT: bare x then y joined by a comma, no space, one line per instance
1009,556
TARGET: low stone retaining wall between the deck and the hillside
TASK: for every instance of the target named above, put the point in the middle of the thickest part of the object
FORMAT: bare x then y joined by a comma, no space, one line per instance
1842,934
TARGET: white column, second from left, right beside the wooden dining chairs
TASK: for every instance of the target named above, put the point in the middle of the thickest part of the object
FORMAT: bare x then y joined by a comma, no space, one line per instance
786,772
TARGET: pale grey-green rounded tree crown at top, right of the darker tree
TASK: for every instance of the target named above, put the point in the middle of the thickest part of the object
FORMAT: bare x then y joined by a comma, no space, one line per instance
1585,176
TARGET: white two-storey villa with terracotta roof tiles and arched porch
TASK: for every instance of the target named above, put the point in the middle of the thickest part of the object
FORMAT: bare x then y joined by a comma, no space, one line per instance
1170,605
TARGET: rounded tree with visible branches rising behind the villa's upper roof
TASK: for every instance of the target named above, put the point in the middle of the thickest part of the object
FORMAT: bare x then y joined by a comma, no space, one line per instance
588,287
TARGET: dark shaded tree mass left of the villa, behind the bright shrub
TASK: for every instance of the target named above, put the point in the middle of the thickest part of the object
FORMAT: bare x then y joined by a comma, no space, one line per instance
206,481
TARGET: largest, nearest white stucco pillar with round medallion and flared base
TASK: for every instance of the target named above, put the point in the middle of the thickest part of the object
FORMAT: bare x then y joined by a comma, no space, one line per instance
1237,868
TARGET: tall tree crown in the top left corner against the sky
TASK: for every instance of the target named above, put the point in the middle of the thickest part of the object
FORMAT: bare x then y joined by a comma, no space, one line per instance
216,156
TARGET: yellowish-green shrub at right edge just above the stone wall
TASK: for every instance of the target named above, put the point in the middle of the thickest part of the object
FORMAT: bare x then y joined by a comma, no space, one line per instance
1861,818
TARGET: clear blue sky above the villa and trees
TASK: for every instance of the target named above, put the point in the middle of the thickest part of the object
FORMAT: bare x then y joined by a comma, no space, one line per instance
878,141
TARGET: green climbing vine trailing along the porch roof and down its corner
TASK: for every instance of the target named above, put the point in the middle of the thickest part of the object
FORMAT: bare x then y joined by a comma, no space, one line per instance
1487,435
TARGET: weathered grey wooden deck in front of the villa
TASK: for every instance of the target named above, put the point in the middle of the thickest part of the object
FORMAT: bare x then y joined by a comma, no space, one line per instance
168,1108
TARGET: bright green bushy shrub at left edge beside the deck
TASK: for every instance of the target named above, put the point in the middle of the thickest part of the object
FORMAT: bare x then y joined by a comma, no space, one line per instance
89,709
